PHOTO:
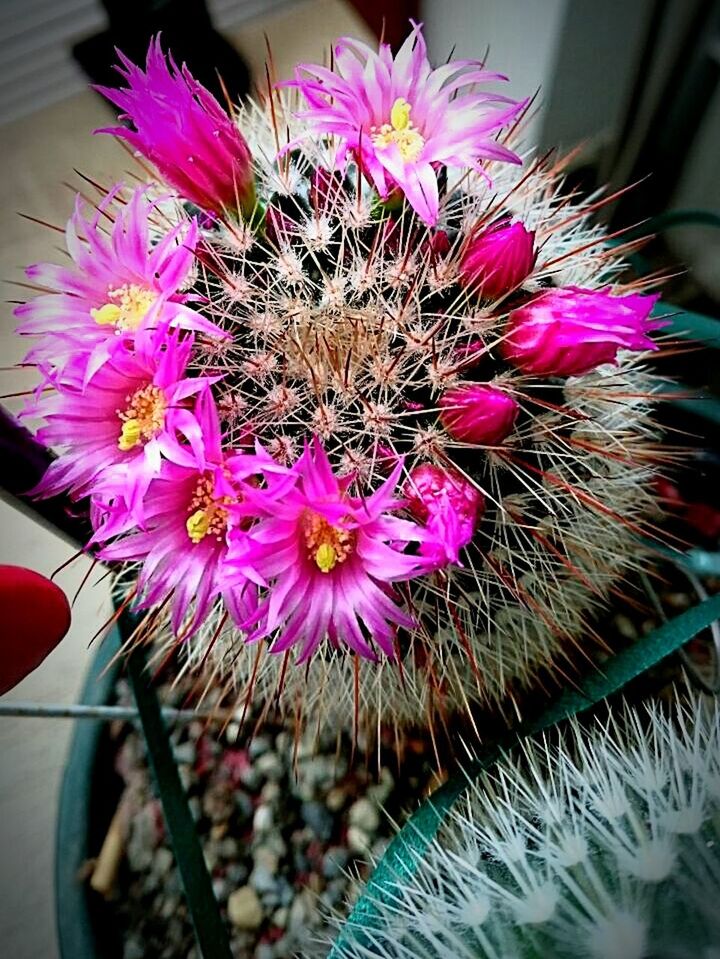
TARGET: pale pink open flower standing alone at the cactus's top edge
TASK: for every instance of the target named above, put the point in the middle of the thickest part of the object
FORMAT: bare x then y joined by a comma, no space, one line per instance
401,119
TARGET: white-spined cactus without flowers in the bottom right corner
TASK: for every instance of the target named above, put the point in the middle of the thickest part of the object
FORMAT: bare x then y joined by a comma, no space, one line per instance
604,846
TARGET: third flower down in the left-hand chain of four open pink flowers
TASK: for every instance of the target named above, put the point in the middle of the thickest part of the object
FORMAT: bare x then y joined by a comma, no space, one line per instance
183,548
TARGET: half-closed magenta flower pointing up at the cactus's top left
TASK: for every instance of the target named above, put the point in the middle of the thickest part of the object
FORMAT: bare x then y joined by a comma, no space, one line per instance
182,129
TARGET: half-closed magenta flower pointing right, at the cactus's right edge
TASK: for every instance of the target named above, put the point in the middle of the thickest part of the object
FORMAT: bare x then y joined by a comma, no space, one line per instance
572,331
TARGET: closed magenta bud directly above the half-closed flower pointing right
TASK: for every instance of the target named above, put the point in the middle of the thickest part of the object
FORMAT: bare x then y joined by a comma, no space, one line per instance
497,260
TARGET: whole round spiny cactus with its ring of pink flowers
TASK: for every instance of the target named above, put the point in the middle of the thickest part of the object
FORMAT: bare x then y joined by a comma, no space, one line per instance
350,380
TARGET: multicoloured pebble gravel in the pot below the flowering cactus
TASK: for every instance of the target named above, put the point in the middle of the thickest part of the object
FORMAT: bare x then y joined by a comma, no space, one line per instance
285,826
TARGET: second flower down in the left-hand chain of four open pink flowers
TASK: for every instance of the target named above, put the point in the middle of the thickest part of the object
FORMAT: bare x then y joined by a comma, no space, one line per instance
133,412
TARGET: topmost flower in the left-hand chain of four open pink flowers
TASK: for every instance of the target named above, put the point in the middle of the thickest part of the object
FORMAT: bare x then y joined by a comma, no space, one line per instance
120,282
